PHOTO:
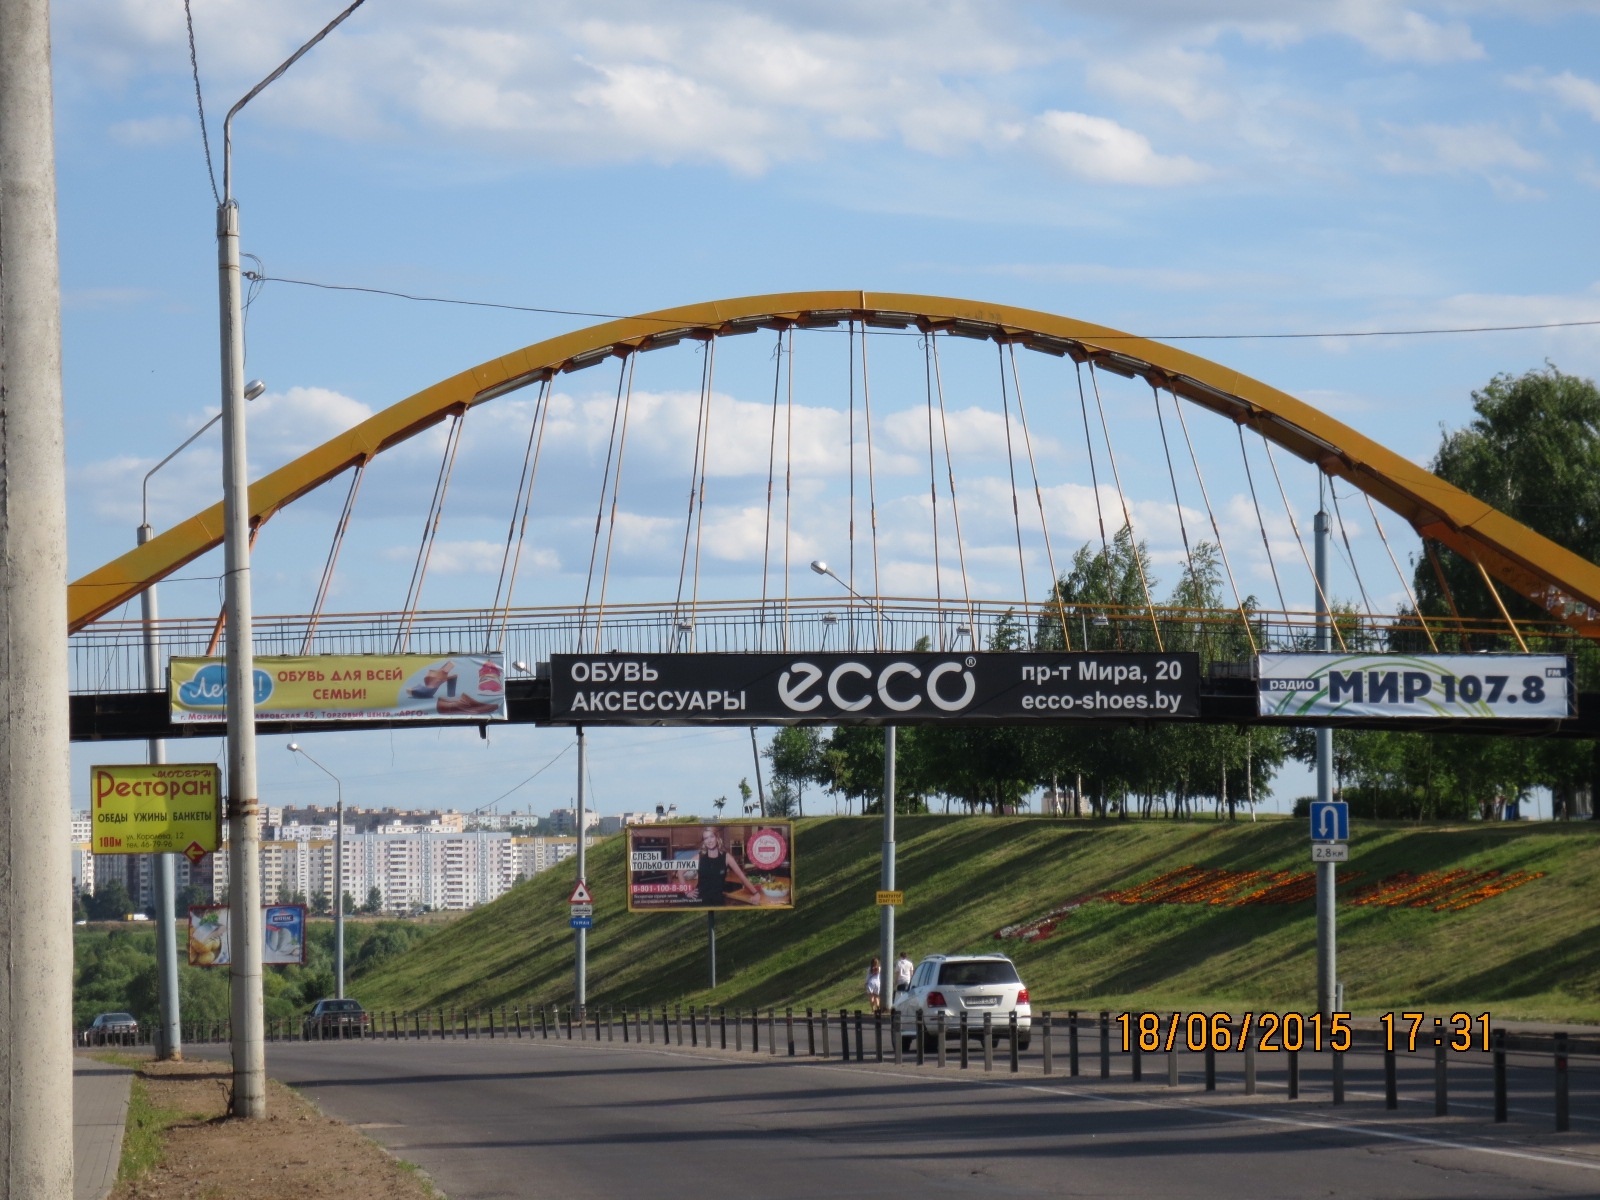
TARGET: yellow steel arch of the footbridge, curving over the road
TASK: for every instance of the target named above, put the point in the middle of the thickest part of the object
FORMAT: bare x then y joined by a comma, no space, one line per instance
1538,569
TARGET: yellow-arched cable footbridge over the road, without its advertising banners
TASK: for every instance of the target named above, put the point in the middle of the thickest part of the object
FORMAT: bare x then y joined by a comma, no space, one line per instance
953,457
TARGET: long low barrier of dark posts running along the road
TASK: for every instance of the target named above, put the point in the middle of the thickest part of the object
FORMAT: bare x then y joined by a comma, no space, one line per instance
1073,1044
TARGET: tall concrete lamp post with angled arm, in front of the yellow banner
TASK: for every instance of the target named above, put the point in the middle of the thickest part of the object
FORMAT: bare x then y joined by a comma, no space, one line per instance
249,1038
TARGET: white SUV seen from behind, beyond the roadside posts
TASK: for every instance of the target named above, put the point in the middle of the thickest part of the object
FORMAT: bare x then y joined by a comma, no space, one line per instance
966,983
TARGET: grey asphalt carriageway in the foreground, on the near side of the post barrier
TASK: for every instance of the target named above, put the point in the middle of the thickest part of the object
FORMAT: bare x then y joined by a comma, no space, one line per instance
577,1121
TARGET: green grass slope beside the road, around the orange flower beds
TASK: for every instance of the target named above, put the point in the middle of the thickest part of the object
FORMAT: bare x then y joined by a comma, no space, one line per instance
1532,953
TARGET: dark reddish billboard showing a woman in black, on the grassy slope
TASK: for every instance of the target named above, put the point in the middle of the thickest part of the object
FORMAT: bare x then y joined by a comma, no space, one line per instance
711,866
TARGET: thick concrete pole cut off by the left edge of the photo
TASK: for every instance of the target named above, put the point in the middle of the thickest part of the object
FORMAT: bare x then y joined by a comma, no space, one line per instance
36,879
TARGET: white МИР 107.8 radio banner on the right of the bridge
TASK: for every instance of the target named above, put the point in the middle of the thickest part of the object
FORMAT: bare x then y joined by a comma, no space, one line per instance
1449,687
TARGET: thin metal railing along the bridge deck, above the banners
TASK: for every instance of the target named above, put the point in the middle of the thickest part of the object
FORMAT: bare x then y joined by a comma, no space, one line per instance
108,655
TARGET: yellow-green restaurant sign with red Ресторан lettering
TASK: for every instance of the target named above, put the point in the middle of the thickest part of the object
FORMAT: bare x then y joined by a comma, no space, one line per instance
156,809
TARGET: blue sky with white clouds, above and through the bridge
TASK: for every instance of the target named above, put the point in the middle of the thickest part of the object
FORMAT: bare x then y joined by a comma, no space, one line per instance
1166,167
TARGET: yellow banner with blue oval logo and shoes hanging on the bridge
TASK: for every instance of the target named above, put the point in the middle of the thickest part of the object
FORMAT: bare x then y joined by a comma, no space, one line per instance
346,689
